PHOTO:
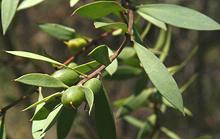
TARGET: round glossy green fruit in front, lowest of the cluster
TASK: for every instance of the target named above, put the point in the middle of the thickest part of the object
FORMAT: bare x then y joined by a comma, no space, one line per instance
73,96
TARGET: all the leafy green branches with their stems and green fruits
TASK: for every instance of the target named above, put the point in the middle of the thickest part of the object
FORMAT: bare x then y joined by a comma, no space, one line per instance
132,59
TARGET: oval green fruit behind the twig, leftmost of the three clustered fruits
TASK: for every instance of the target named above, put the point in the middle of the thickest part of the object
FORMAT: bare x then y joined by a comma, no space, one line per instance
67,76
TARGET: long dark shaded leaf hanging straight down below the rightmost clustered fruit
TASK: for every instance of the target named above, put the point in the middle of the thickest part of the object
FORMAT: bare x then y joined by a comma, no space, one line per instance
105,124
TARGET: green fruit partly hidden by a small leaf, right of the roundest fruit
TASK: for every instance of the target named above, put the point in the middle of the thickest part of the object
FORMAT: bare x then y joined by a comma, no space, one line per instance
94,84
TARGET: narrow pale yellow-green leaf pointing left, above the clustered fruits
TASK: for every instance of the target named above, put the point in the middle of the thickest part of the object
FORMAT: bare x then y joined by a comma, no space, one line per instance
34,56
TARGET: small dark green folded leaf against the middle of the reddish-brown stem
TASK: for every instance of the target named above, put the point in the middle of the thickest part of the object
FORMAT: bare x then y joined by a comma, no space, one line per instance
100,54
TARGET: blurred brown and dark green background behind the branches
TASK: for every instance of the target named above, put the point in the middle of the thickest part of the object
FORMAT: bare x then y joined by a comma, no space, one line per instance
202,98
